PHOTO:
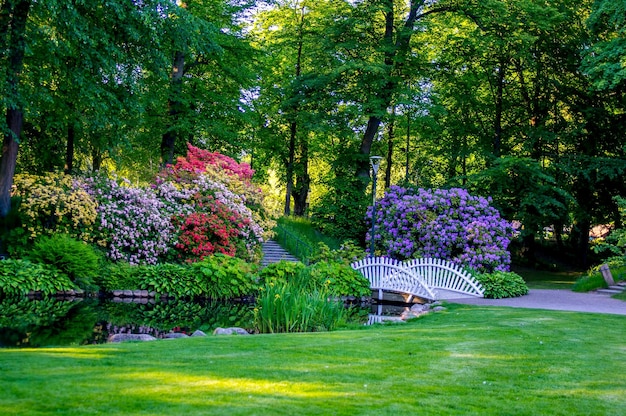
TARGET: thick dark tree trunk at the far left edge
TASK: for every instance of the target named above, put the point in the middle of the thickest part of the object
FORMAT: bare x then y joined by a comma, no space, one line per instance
13,30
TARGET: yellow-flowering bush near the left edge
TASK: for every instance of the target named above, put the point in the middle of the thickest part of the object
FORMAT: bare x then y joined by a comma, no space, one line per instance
54,203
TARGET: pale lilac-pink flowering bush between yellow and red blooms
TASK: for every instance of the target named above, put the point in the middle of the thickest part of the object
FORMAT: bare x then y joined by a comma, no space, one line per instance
134,225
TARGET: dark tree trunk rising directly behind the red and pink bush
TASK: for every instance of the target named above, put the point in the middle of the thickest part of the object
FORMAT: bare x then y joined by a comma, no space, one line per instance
174,104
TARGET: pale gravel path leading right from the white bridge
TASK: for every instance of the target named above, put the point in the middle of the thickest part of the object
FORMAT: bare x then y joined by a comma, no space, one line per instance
560,300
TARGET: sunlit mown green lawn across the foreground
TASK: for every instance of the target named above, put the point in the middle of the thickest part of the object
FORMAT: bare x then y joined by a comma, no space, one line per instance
466,360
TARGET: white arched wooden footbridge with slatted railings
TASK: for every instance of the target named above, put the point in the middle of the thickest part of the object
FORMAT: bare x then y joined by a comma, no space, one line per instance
427,278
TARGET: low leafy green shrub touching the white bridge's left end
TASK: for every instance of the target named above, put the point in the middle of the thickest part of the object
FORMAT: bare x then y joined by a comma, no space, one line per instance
339,278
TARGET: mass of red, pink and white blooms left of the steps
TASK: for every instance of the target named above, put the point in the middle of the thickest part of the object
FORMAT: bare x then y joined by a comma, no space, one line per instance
207,189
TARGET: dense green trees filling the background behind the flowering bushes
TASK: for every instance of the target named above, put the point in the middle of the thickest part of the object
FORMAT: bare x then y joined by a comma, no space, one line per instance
521,100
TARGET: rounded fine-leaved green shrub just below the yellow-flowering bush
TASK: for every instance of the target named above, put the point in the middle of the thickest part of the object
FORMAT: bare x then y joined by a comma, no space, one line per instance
76,259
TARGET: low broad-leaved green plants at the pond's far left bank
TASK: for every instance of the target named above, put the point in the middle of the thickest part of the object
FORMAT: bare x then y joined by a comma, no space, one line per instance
19,277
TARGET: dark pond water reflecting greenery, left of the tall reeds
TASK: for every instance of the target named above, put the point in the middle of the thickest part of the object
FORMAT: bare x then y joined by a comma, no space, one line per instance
54,322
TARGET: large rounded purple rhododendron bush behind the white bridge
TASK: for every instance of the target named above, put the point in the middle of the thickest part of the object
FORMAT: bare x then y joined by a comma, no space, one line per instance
443,223
